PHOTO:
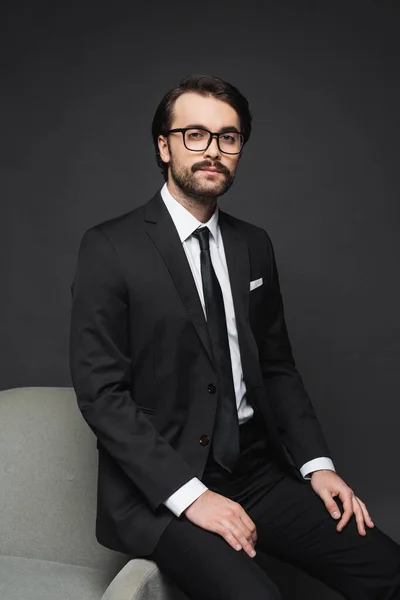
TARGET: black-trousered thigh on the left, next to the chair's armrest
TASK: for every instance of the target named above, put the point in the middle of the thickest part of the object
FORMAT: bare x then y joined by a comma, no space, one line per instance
203,565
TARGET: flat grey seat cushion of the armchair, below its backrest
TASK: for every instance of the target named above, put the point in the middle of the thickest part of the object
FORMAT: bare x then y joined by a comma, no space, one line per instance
33,579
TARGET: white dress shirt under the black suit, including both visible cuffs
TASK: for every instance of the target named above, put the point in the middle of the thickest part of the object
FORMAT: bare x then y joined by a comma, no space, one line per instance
186,224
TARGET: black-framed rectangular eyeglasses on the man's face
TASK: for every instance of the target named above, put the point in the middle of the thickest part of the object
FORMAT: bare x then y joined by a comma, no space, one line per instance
198,139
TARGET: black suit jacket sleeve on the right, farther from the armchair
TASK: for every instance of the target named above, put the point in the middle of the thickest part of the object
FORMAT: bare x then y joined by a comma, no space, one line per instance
294,414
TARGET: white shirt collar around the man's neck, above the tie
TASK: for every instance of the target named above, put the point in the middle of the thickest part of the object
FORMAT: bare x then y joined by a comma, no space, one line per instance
184,221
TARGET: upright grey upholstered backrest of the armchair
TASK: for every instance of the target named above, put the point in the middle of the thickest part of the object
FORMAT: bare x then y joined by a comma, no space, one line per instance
48,478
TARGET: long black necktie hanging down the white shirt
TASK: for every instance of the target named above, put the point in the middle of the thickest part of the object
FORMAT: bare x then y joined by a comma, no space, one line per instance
225,445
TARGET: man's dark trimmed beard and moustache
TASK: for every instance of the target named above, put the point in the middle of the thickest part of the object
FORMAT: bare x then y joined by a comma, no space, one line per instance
204,189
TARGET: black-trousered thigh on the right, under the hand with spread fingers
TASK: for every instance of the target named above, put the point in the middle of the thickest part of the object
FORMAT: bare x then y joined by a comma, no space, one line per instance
293,525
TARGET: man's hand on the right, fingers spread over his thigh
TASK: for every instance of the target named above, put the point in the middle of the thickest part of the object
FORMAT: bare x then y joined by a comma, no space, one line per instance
327,484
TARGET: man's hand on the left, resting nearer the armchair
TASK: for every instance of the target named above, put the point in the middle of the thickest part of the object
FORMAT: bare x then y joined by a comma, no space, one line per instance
221,515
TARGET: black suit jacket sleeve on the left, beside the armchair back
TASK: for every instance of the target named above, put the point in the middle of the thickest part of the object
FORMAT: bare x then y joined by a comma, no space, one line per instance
102,372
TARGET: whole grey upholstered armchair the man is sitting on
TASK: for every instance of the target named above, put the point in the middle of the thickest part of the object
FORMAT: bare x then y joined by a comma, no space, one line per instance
48,469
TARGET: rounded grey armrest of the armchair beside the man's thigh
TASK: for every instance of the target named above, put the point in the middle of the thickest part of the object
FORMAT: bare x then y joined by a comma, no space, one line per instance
141,579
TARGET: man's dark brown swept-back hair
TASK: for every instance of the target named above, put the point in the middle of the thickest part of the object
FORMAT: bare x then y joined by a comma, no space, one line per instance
206,85
